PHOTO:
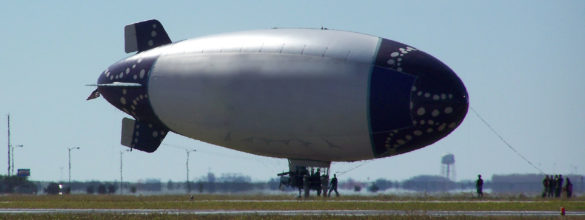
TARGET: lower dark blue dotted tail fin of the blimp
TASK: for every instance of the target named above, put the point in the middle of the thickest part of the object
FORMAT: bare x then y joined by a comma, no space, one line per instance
141,135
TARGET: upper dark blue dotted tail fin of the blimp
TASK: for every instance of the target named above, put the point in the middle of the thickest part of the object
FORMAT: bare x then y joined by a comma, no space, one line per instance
144,35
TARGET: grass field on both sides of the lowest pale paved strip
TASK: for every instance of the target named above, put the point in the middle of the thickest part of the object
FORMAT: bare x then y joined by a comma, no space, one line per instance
278,202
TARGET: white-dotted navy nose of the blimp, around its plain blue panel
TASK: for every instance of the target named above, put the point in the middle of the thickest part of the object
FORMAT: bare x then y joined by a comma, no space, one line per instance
438,100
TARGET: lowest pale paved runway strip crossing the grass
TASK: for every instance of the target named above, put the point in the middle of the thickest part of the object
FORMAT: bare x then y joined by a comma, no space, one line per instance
288,212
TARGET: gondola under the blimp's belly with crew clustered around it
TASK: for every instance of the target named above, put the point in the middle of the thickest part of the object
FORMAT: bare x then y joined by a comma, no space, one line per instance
306,175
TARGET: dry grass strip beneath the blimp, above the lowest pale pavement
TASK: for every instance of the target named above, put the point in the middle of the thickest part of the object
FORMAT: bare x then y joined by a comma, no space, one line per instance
285,202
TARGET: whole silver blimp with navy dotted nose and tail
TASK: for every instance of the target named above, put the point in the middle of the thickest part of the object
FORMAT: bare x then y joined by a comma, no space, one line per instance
312,96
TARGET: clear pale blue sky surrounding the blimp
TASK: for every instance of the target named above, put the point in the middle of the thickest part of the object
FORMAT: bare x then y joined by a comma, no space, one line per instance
523,63
